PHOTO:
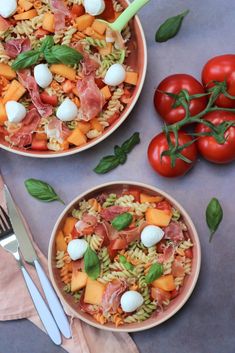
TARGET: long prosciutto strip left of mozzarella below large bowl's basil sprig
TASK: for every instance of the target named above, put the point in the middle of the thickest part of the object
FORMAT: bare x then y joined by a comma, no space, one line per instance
30,84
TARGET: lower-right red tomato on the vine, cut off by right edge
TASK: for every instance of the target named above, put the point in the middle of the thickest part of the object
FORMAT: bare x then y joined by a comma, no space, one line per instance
209,148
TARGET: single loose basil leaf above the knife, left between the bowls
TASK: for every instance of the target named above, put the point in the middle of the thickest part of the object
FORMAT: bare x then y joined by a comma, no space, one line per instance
41,190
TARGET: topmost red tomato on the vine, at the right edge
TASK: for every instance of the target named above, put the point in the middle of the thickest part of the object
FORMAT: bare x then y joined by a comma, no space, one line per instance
221,68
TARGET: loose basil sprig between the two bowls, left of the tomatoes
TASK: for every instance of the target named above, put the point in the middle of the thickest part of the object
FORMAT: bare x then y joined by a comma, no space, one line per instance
120,155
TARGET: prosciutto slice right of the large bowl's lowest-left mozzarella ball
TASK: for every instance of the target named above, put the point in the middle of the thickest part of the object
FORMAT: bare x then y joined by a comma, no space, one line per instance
23,137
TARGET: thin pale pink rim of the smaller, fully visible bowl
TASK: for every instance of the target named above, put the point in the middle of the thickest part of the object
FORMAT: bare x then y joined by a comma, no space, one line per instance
141,324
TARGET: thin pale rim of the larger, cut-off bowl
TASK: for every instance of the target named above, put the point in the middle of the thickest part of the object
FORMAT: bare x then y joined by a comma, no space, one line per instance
112,129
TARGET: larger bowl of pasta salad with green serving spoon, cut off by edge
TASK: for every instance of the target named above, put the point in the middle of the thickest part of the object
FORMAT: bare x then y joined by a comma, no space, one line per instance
66,80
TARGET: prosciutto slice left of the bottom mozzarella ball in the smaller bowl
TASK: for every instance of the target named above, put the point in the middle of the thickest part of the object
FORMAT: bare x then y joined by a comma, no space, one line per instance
112,295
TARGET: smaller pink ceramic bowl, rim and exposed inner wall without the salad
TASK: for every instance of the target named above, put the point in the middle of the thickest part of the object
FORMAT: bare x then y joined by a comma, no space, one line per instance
176,303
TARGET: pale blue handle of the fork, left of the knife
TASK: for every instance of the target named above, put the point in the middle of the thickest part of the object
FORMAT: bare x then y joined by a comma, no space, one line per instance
42,309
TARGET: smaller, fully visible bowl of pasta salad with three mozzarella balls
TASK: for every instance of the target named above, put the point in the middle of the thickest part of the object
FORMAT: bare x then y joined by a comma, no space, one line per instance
124,256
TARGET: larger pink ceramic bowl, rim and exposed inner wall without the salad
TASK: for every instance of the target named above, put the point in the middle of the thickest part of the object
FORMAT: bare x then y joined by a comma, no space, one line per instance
138,61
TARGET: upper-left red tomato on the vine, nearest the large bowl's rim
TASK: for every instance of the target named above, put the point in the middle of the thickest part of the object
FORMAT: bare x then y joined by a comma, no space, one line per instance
175,84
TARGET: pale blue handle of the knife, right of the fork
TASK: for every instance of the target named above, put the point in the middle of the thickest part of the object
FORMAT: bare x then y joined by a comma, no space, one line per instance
53,301
